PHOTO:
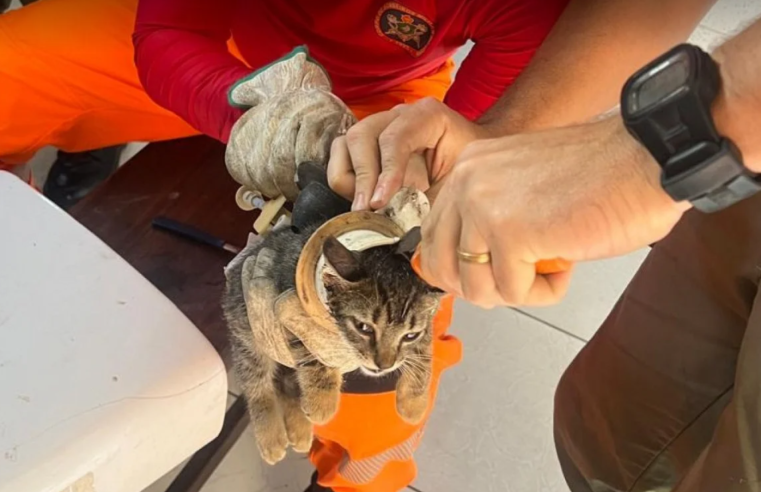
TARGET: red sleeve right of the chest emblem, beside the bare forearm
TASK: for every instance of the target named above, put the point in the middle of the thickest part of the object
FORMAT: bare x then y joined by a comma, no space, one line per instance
506,36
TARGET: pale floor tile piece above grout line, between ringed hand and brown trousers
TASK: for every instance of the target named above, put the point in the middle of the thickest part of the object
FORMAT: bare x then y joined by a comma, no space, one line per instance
595,288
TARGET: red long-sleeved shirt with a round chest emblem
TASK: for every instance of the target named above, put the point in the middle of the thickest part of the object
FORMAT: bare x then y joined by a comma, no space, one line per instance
366,47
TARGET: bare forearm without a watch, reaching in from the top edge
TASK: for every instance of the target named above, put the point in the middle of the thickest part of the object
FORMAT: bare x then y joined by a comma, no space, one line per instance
582,65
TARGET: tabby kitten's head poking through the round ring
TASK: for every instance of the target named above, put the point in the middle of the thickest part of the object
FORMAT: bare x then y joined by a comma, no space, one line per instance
381,306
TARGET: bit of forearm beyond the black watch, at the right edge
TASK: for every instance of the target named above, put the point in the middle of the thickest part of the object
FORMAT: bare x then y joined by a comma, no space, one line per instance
738,107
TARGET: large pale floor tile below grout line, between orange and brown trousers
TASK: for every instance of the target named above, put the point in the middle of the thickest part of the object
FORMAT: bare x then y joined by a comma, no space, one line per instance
491,430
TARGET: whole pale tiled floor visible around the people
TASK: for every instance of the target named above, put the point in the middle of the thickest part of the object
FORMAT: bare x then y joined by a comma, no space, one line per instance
491,430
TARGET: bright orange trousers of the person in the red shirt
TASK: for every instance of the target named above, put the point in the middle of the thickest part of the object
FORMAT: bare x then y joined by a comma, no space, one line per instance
67,79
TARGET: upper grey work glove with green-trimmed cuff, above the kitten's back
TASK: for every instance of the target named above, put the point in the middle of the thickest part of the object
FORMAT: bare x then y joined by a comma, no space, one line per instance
291,117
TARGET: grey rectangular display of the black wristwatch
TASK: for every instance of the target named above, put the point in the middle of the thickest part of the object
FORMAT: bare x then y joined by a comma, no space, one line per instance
658,83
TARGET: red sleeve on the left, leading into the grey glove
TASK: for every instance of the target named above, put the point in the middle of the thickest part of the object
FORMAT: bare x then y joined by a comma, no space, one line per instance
183,62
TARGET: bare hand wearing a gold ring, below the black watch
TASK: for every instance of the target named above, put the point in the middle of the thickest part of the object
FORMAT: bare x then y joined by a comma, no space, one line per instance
576,193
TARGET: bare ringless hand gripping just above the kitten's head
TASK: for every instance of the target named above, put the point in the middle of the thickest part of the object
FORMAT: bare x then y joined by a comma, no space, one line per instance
383,152
